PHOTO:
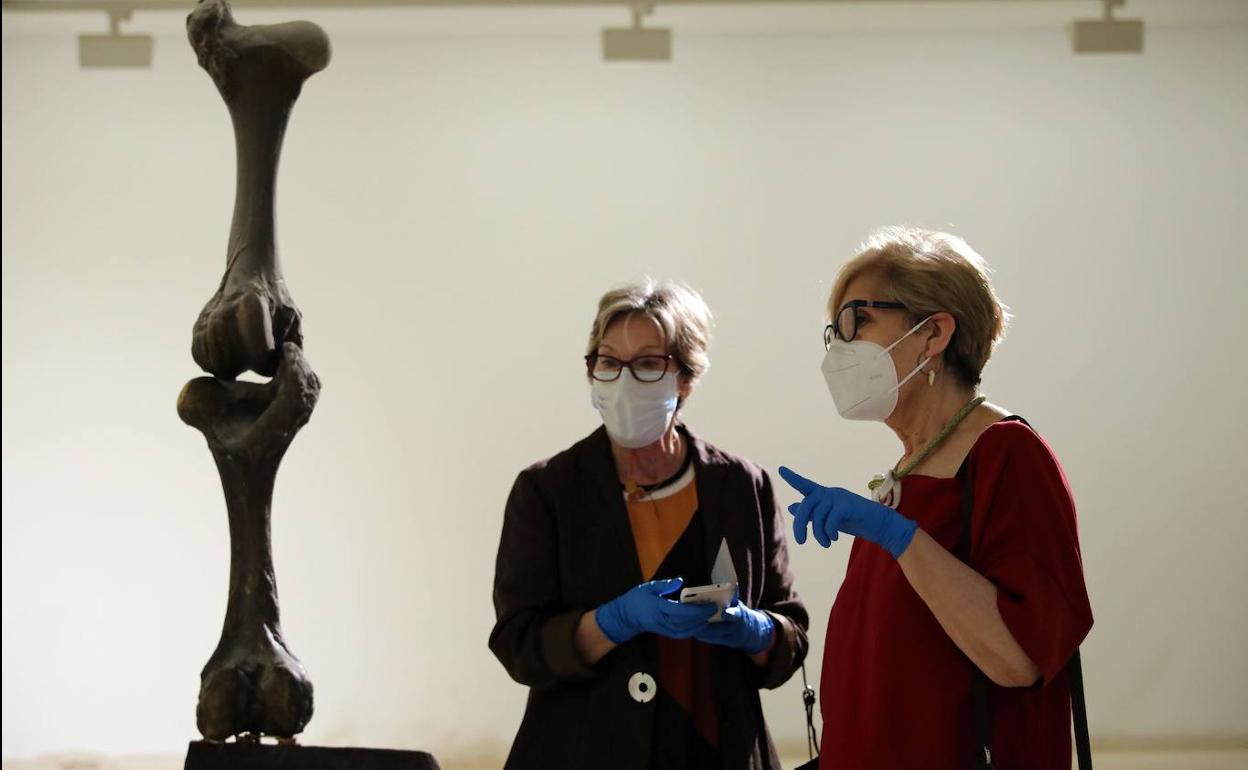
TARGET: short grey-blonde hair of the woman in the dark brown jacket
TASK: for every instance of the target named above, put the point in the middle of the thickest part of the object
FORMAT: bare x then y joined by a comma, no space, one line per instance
680,311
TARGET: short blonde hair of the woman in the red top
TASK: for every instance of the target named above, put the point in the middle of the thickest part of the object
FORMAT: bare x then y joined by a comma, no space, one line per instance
930,273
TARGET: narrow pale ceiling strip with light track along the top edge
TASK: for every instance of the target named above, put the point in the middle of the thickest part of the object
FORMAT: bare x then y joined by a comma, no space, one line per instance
762,18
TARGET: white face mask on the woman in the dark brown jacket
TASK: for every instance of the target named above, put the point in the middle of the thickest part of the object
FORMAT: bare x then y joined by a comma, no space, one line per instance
636,414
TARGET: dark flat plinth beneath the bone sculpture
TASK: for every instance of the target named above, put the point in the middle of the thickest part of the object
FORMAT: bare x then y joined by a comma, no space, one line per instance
204,756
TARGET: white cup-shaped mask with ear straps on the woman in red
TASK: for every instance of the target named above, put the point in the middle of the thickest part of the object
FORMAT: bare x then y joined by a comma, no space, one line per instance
863,380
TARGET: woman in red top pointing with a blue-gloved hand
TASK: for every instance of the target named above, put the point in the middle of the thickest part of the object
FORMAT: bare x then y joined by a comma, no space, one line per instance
924,602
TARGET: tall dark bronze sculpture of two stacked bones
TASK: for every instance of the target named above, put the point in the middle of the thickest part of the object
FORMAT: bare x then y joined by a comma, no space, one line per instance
253,685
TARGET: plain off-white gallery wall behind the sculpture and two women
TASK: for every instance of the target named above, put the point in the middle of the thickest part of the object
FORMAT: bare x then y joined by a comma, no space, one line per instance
456,192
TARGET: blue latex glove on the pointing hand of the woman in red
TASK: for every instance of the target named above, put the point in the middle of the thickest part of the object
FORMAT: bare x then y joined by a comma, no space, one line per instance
832,511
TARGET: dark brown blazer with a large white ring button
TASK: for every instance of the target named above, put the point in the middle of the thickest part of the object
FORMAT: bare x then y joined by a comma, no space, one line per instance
567,547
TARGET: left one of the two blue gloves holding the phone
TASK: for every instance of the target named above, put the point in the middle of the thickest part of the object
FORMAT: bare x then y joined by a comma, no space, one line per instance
643,610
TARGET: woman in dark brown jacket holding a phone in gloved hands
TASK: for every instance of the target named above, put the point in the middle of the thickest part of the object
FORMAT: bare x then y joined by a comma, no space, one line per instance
597,543
